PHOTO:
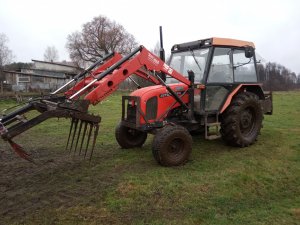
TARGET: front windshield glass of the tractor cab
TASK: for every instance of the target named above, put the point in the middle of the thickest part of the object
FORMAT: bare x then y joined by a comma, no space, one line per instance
194,60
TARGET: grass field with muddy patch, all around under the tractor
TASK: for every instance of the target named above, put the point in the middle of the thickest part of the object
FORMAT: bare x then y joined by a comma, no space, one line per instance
219,185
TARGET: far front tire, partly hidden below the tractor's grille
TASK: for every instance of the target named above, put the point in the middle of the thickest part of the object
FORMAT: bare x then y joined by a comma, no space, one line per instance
128,137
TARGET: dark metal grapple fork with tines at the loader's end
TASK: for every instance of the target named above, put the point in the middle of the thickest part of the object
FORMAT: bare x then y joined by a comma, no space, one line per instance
16,123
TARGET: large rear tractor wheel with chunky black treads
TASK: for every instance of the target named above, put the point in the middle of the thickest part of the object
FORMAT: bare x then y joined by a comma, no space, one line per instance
242,120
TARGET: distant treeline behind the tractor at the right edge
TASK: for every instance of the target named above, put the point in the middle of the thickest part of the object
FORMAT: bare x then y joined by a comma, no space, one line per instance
276,77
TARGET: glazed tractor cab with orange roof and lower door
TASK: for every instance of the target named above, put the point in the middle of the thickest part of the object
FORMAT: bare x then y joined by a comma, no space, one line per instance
220,65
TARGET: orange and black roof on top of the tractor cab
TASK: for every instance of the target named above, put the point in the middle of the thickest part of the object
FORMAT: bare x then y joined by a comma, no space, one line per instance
214,41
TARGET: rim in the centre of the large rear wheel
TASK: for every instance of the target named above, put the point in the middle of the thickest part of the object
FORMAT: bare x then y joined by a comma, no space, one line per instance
247,121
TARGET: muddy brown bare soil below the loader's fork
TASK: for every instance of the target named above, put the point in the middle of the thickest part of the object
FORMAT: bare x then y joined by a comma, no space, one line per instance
57,182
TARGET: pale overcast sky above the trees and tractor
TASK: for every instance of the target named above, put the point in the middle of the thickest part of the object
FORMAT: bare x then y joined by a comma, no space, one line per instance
273,25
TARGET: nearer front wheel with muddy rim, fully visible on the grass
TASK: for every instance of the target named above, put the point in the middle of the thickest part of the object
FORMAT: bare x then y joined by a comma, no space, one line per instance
172,146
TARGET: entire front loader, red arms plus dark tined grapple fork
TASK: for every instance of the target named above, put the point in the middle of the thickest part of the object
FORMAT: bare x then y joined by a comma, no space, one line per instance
91,87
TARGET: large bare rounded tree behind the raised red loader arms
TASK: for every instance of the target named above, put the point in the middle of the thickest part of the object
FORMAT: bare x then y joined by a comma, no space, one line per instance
97,38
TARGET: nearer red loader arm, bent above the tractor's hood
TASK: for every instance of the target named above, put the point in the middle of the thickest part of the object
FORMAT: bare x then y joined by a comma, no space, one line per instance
140,62
